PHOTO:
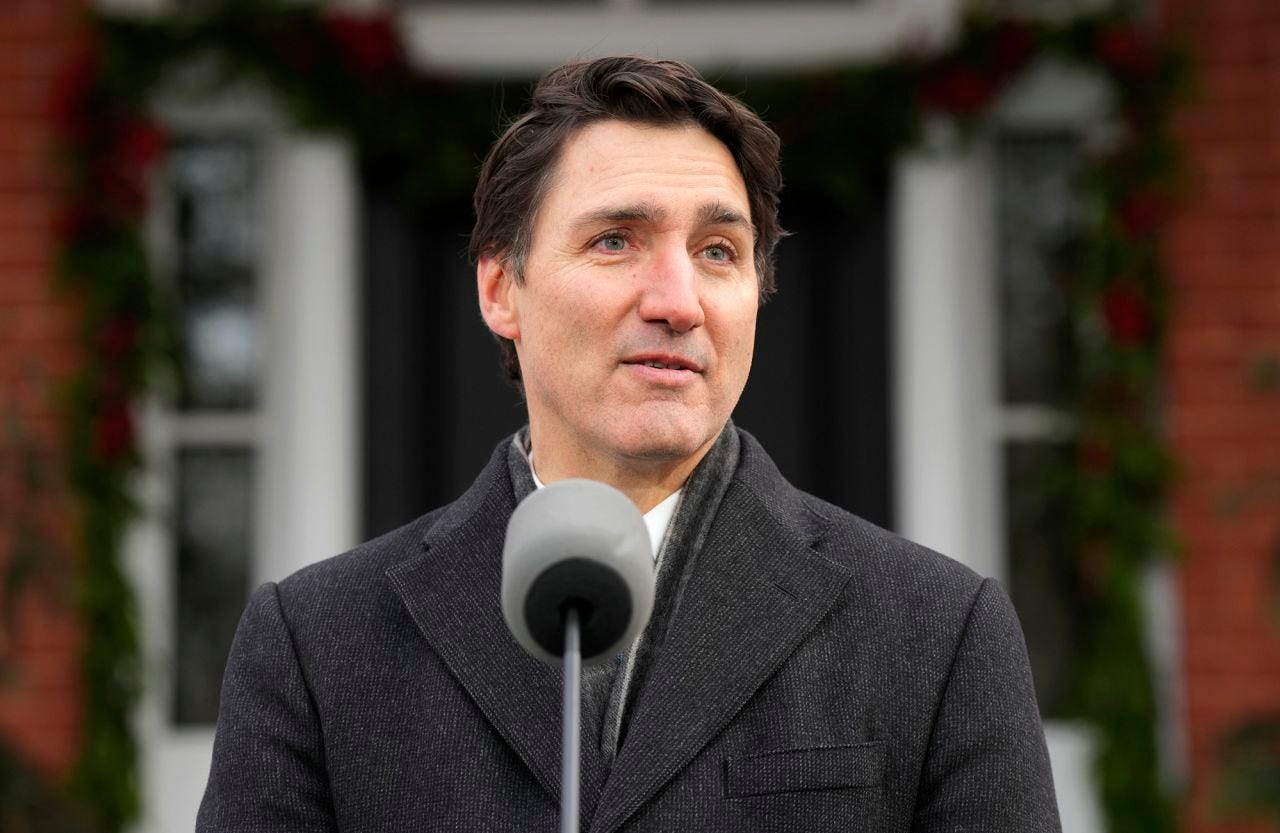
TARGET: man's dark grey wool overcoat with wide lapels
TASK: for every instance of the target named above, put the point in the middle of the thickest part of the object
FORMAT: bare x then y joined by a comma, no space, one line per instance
819,674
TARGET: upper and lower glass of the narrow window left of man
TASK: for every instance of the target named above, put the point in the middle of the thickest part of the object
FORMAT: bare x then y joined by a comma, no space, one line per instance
217,345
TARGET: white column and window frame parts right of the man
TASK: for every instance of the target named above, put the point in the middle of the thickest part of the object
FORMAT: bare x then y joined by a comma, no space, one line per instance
952,424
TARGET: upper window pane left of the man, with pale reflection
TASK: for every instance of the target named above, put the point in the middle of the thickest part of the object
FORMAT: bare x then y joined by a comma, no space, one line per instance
220,335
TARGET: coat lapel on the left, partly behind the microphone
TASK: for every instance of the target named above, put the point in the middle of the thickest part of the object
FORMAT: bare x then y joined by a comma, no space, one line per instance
452,591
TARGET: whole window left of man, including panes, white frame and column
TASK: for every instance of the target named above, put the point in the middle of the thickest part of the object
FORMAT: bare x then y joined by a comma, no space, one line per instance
253,463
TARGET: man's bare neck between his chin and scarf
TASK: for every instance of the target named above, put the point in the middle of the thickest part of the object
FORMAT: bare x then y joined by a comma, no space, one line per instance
644,480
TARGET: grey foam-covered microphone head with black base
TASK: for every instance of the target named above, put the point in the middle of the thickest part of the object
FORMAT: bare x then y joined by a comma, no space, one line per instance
583,544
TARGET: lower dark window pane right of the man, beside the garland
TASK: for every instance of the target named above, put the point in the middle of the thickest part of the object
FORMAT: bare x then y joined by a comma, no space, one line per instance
1043,579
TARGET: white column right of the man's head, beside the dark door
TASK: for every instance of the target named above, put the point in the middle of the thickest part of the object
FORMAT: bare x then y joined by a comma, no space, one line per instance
945,361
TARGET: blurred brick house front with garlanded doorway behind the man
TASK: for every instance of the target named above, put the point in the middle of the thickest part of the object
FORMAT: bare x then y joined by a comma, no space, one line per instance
1025,319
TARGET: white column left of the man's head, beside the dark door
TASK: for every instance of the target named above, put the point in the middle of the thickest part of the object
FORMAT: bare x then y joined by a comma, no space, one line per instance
310,472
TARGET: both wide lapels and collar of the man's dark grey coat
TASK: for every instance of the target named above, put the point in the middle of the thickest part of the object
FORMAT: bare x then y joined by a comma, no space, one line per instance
756,591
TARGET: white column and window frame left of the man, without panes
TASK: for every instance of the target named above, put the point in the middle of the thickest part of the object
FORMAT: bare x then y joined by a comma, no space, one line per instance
305,429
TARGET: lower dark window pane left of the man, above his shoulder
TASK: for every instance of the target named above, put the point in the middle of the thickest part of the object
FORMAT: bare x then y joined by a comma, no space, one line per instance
216,495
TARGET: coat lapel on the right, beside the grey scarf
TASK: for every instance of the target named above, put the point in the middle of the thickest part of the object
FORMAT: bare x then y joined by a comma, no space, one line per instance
753,594
